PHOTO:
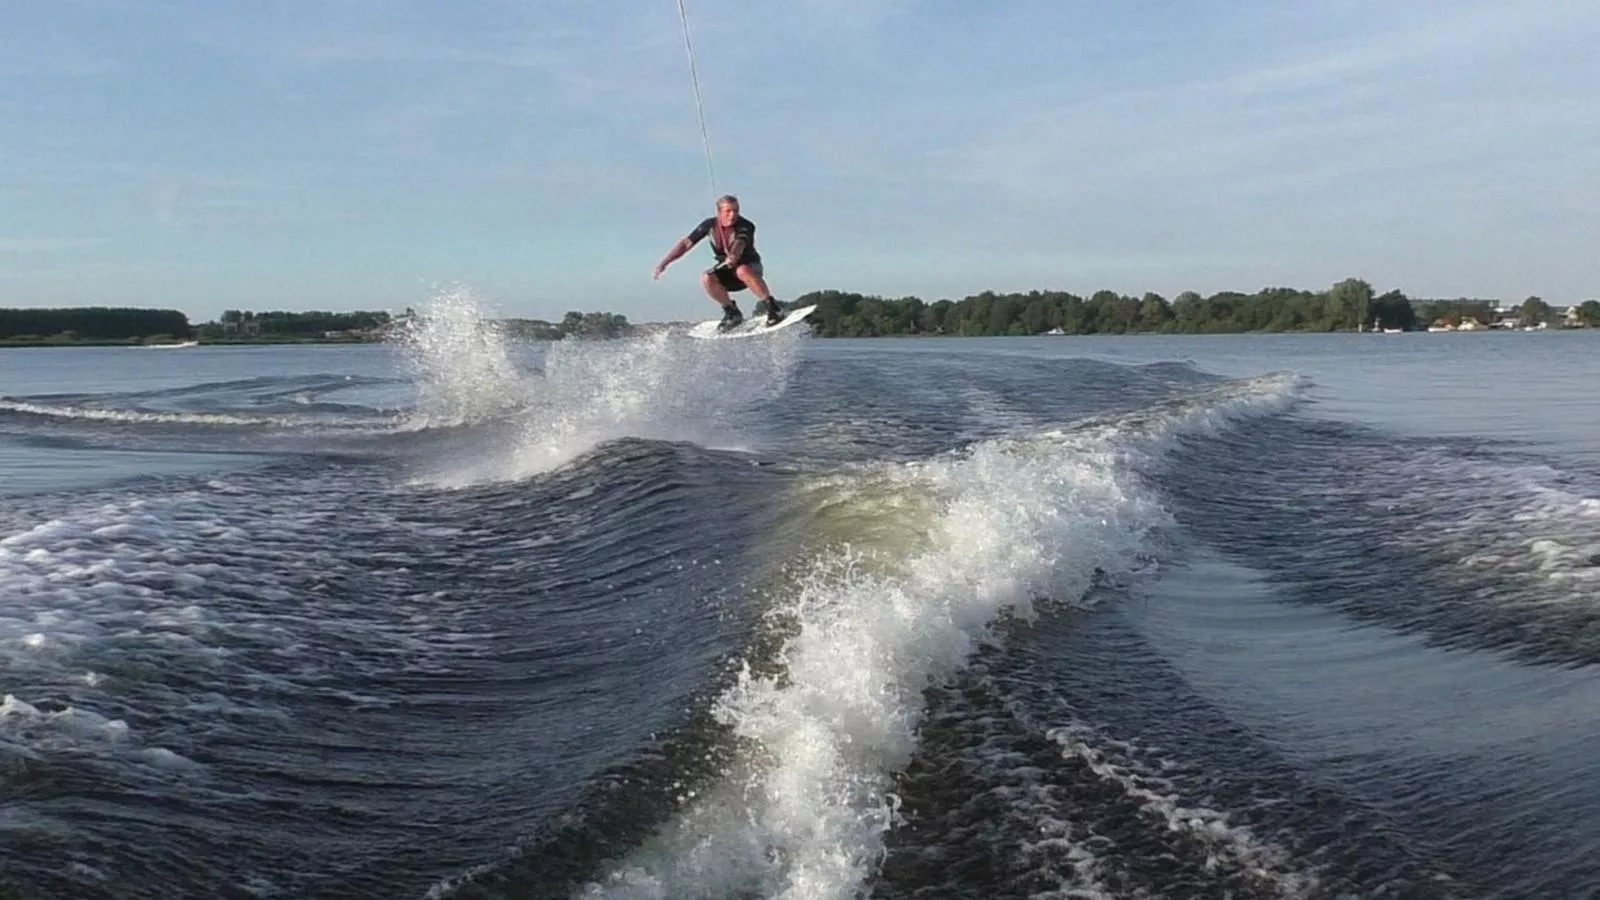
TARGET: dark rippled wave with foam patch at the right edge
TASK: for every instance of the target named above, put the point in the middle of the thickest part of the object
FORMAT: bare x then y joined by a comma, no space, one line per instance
1465,544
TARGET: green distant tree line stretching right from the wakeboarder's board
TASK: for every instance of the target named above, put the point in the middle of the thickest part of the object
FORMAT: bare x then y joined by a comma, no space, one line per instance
1345,307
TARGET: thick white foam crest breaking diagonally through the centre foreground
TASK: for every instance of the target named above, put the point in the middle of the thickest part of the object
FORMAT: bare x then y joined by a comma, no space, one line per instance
804,813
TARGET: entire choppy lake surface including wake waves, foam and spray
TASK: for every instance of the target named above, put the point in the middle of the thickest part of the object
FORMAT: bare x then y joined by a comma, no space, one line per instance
1111,617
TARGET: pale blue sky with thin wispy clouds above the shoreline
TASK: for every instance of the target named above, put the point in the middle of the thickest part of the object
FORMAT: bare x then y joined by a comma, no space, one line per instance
543,155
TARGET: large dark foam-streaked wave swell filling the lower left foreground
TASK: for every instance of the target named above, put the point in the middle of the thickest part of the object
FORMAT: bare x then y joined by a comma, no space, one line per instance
236,622
